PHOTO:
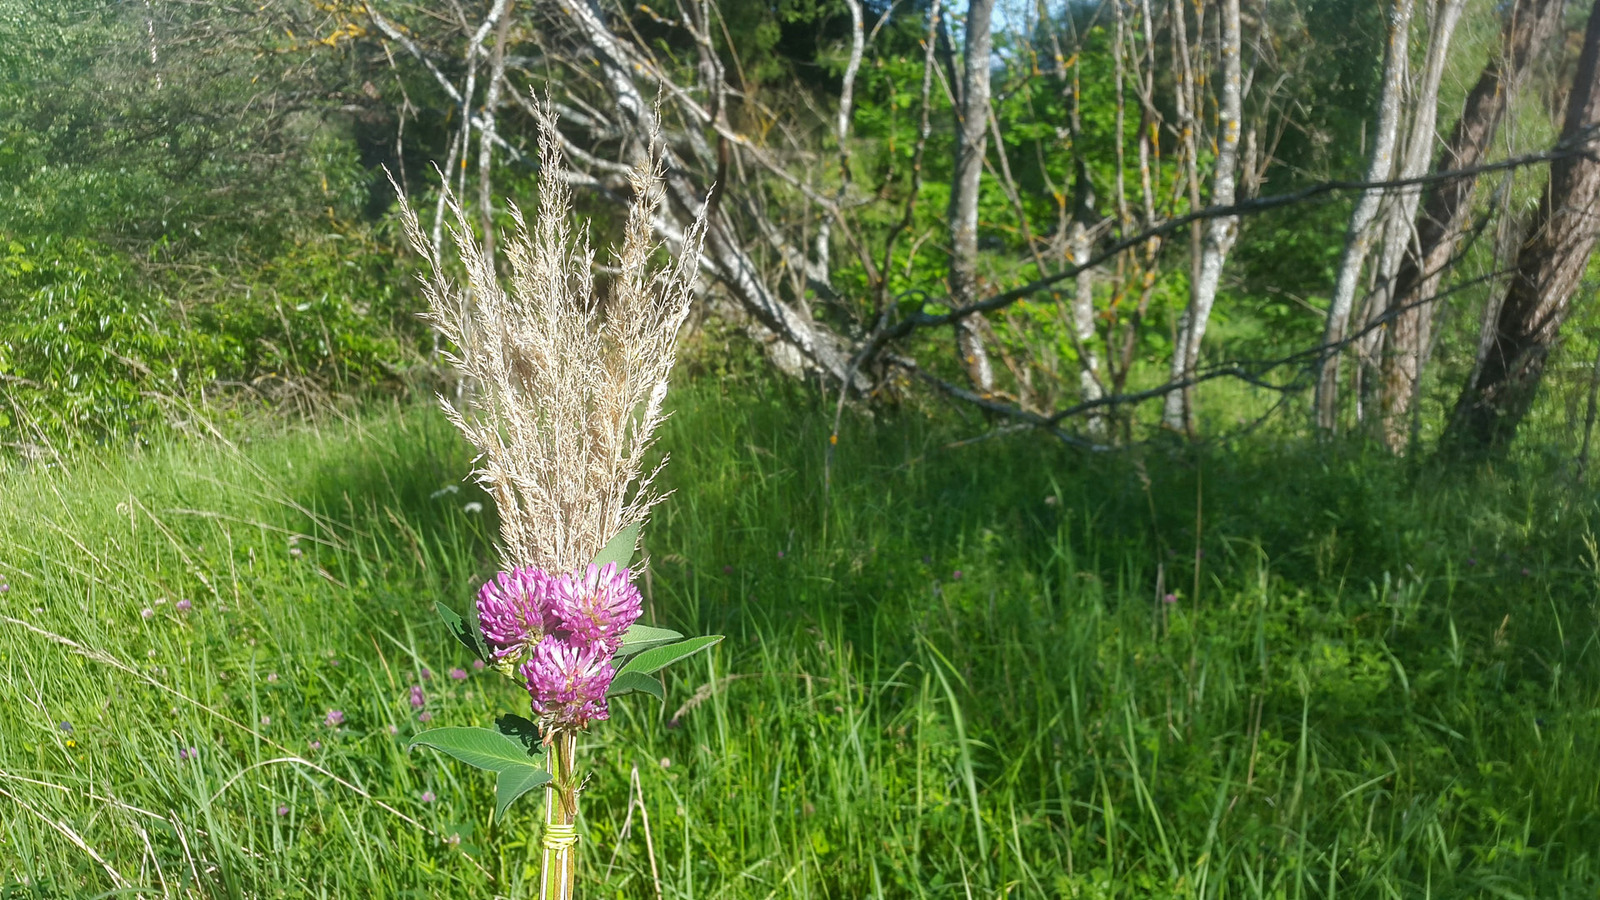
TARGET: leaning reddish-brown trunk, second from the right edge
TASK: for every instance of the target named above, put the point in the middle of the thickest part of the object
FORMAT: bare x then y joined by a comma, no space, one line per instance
1449,207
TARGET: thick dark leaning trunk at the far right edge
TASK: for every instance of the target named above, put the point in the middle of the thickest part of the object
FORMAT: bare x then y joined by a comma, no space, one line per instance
1550,267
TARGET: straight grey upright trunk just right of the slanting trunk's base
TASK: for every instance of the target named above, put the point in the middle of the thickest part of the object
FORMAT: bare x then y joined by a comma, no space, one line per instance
970,148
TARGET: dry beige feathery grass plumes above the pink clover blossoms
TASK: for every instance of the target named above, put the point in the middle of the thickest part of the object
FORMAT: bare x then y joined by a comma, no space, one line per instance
569,390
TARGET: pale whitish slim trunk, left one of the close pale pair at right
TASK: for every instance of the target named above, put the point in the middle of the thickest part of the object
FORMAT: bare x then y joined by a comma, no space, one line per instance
1359,239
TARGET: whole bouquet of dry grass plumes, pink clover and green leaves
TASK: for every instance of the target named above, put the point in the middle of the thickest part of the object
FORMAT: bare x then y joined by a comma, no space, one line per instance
564,404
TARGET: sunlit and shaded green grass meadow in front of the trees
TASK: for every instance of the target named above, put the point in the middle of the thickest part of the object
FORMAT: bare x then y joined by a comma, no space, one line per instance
1002,670
